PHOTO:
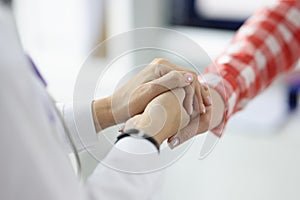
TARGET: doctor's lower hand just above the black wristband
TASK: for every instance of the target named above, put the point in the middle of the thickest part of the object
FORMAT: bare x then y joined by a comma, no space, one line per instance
163,117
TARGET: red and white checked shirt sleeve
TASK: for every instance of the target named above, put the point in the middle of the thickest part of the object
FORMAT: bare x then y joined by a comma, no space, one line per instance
267,45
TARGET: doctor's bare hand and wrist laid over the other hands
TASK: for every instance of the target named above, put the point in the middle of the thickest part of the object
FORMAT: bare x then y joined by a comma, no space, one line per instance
131,99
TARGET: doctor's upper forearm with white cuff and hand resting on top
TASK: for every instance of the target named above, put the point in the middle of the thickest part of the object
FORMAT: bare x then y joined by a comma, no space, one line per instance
158,77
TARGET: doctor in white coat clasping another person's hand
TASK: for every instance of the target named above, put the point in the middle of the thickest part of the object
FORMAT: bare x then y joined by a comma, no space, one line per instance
33,147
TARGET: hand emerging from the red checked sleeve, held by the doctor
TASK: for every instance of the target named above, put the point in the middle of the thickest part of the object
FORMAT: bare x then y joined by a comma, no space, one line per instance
201,123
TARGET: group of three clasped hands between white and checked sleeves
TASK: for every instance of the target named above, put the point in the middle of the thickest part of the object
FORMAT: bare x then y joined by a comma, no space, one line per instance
164,100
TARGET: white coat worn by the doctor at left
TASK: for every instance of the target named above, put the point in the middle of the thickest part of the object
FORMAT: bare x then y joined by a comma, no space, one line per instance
34,160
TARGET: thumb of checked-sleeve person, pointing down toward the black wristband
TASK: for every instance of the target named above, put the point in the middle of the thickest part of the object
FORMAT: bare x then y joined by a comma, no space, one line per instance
185,134
